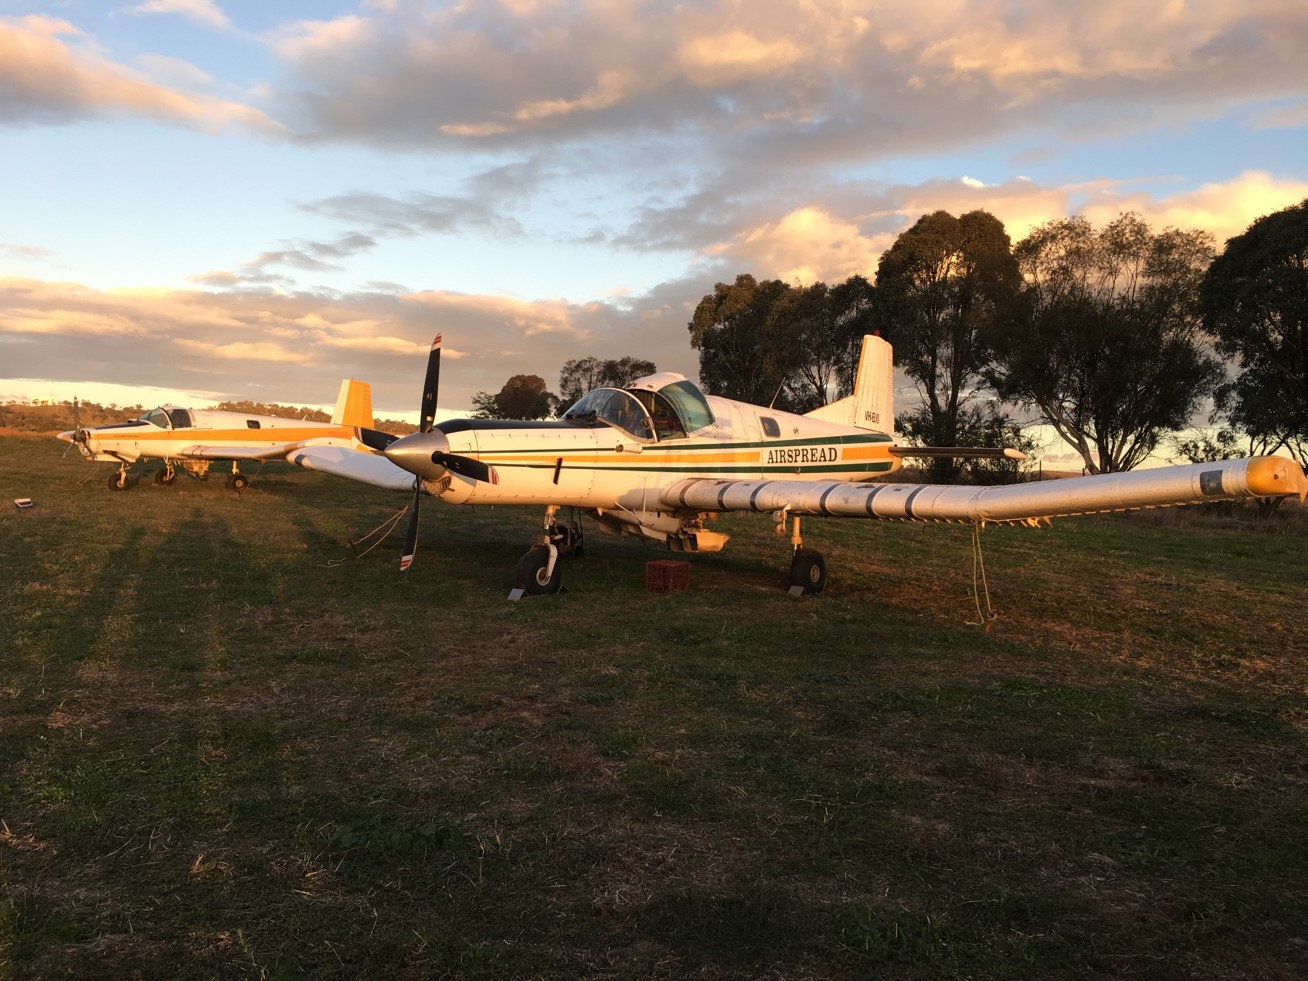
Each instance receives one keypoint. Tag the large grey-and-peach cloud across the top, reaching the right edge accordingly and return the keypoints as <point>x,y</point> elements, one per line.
<point>856,78</point>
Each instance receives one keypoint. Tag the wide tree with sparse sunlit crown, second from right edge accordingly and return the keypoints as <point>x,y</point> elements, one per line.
<point>1107,346</point>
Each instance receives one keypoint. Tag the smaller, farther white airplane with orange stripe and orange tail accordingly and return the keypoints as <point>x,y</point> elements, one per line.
<point>194,439</point>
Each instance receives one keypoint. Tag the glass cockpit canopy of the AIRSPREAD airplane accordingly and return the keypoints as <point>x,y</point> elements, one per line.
<point>663,406</point>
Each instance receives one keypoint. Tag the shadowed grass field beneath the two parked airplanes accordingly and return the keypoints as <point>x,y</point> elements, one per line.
<point>231,750</point>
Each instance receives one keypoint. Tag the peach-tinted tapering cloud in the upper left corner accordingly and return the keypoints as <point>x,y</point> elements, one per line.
<point>52,74</point>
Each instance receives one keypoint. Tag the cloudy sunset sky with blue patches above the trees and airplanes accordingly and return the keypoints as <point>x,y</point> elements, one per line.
<point>226,199</point>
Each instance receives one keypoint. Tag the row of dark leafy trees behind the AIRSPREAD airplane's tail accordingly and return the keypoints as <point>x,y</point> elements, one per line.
<point>1112,337</point>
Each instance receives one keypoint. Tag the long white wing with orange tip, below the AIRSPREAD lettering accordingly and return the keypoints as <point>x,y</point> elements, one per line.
<point>1009,504</point>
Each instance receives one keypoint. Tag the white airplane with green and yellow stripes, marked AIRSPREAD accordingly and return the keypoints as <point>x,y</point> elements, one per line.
<point>660,458</point>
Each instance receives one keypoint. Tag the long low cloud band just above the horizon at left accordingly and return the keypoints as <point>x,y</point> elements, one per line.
<point>296,347</point>
